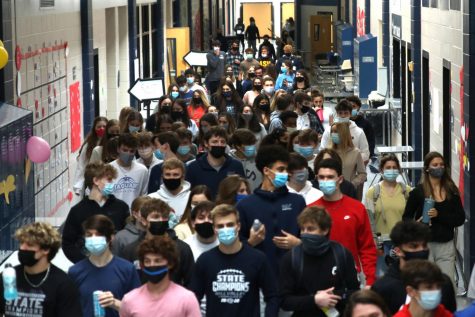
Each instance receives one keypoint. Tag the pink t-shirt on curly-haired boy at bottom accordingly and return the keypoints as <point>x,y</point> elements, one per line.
<point>176,301</point>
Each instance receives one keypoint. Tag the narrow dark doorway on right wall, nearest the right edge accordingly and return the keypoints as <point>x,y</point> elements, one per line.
<point>446,113</point>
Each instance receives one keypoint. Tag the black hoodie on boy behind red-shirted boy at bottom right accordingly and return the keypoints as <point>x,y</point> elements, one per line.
<point>392,290</point>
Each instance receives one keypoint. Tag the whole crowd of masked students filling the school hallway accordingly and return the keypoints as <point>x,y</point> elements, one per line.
<point>244,198</point>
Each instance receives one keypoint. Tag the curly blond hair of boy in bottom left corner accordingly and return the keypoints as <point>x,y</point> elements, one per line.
<point>42,234</point>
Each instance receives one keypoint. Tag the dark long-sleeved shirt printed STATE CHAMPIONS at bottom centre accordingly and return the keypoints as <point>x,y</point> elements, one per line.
<point>231,283</point>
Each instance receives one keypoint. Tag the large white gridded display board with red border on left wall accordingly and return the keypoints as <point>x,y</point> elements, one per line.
<point>42,87</point>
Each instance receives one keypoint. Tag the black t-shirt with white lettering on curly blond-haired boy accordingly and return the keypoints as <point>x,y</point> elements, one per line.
<point>56,297</point>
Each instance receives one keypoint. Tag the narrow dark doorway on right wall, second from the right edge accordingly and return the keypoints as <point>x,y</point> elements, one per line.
<point>425,103</point>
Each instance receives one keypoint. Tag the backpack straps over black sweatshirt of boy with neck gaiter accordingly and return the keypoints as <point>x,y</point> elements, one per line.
<point>339,255</point>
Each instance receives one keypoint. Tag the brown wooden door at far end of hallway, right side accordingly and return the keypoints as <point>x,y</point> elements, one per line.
<point>320,33</point>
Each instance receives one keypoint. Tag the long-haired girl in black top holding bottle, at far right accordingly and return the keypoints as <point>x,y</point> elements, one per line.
<point>446,213</point>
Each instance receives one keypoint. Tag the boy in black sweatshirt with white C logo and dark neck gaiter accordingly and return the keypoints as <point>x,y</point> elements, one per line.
<point>317,276</point>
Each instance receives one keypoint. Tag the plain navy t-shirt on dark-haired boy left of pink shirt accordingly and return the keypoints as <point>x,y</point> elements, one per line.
<point>118,277</point>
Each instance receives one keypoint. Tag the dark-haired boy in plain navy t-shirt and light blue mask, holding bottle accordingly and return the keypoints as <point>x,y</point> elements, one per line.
<point>101,270</point>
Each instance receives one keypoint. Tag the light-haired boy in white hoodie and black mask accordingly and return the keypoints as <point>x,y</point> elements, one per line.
<point>174,189</point>
